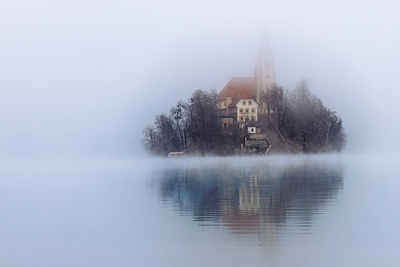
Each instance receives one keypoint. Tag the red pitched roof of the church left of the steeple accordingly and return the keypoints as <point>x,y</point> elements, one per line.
<point>239,87</point>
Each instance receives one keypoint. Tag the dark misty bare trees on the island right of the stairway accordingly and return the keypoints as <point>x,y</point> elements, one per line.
<point>302,118</point>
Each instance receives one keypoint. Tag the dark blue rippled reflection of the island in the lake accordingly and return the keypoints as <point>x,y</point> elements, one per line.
<point>252,199</point>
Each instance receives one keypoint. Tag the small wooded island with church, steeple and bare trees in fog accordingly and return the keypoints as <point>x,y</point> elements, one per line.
<point>250,115</point>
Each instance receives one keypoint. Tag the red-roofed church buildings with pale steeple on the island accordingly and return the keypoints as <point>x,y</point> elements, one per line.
<point>241,100</point>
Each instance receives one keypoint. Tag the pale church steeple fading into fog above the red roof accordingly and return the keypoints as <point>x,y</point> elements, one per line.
<point>264,76</point>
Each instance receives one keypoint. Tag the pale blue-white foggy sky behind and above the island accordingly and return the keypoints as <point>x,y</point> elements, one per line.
<point>84,77</point>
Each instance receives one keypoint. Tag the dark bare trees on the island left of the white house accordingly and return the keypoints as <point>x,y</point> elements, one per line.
<point>193,127</point>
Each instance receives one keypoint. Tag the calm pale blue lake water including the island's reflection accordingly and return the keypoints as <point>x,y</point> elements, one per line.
<point>332,210</point>
